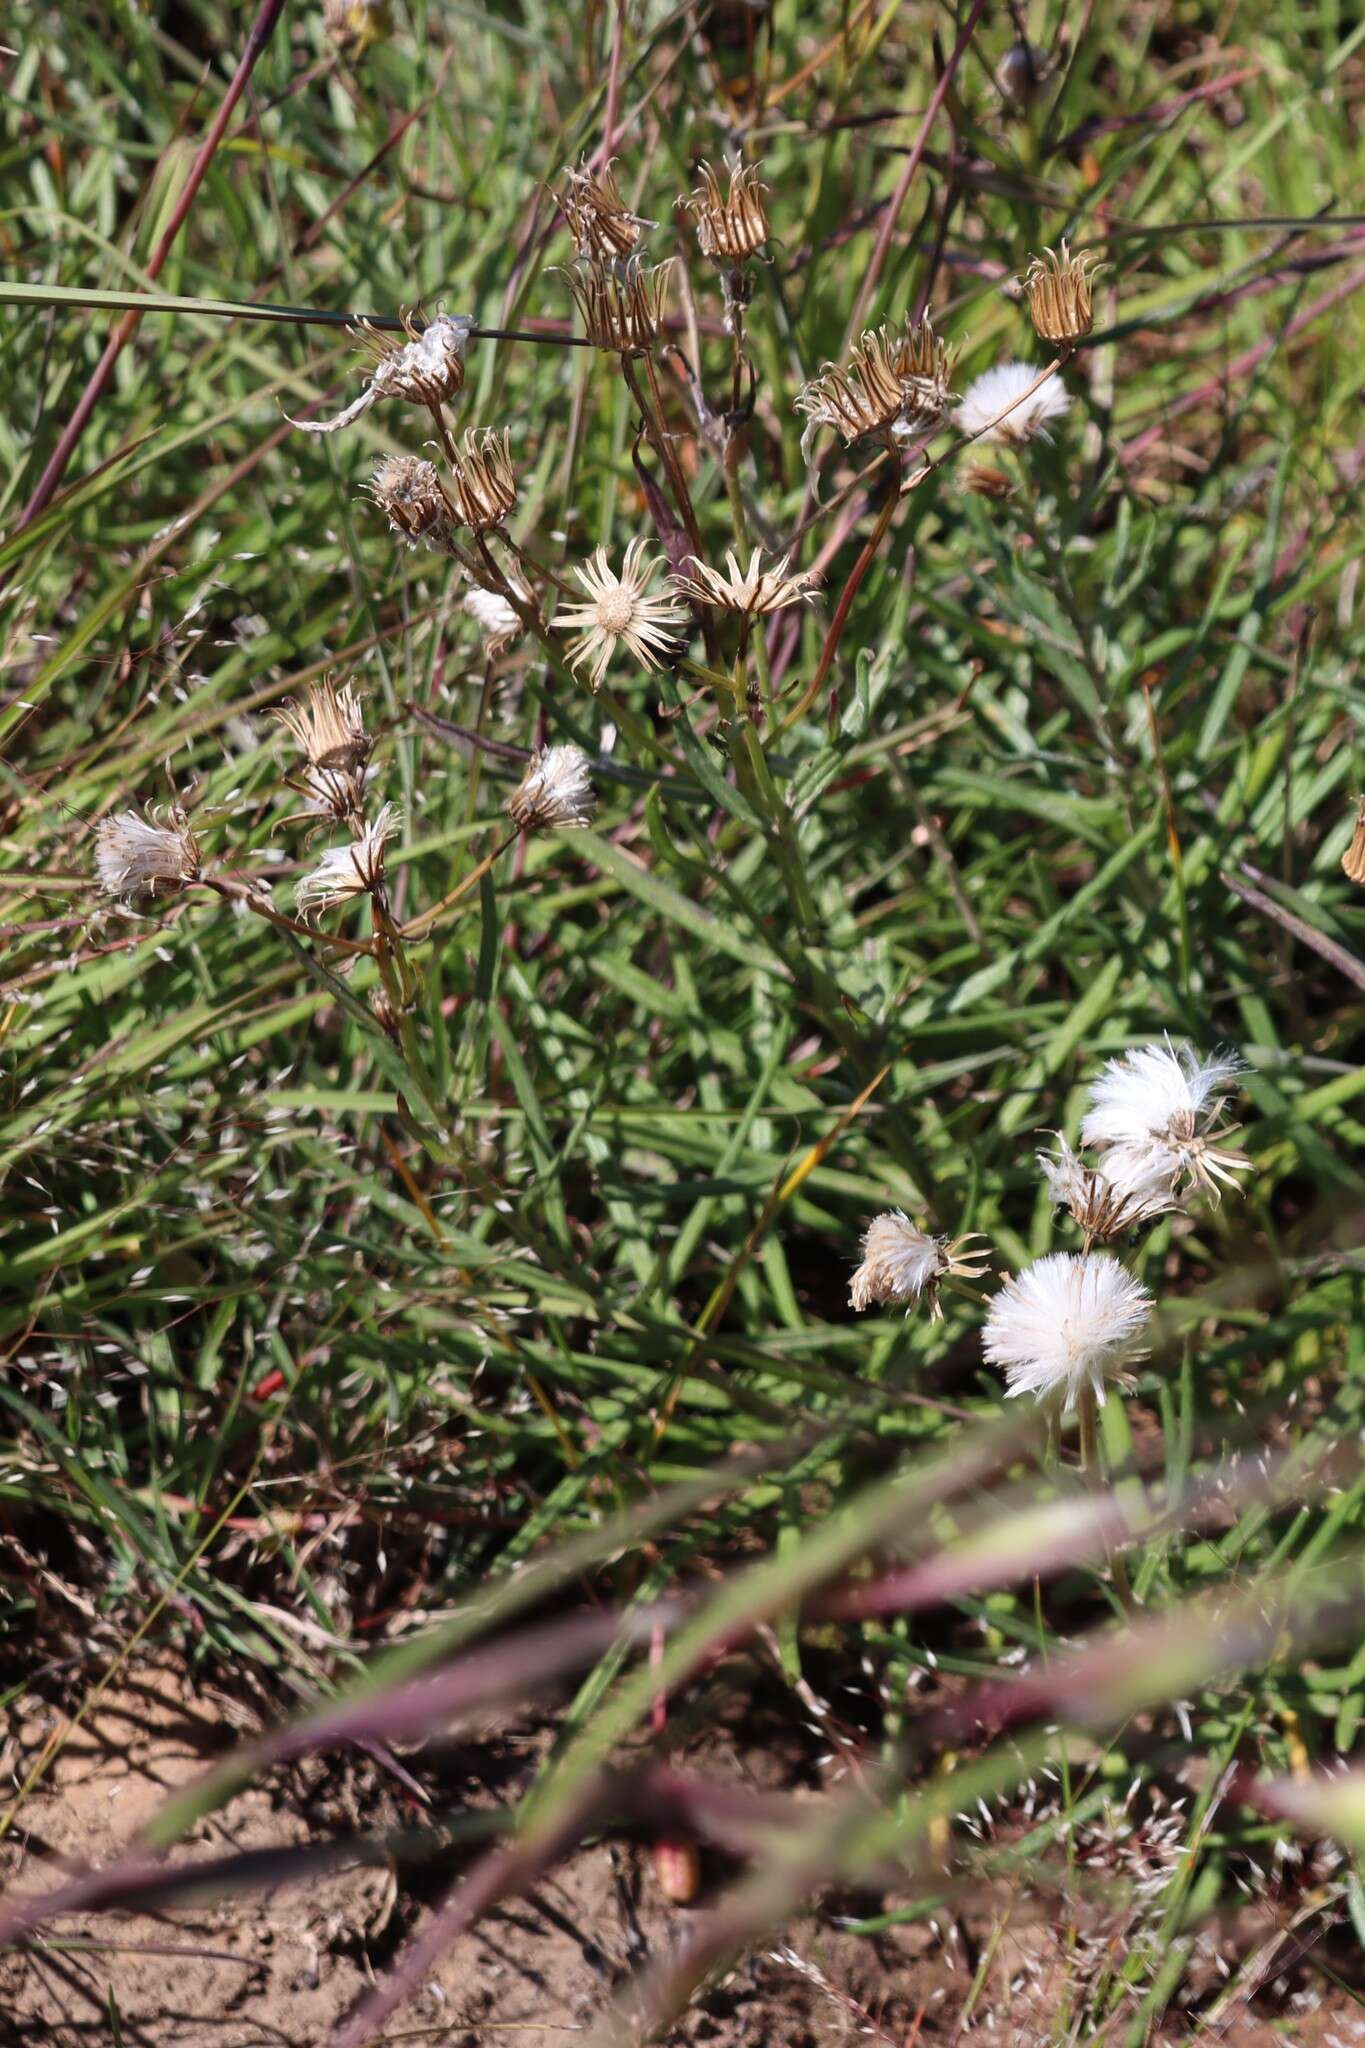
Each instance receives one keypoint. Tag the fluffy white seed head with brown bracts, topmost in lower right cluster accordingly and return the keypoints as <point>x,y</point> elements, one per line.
<point>1157,1113</point>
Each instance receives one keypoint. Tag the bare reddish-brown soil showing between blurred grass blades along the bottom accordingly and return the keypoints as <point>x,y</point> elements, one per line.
<point>283,1967</point>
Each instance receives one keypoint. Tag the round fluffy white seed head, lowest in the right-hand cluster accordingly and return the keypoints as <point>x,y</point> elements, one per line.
<point>1067,1322</point>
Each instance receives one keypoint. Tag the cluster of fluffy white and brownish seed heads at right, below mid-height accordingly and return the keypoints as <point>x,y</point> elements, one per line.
<point>1071,1324</point>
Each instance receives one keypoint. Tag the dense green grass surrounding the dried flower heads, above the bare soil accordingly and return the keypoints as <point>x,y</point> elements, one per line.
<point>500,1254</point>
